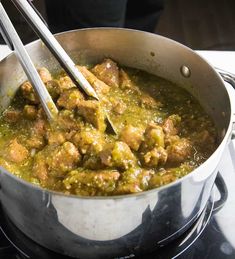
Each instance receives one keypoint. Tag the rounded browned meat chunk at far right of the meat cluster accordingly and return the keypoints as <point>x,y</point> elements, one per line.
<point>179,150</point>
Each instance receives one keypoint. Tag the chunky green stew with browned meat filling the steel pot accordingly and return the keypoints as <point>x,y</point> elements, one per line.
<point>163,133</point>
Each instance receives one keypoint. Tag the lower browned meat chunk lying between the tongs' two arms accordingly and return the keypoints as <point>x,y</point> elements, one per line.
<point>70,98</point>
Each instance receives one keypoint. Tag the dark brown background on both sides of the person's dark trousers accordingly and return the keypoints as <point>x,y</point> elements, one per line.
<point>198,24</point>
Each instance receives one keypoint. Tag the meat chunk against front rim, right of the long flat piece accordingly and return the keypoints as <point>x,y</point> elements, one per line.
<point>134,180</point>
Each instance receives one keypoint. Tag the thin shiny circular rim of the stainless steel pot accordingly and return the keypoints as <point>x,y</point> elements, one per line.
<point>143,193</point>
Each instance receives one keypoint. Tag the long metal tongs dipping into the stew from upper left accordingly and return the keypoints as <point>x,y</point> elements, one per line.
<point>13,41</point>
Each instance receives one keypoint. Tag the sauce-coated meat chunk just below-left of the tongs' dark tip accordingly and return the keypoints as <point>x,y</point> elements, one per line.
<point>90,141</point>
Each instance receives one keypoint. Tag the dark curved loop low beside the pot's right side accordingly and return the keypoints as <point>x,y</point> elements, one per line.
<point>222,188</point>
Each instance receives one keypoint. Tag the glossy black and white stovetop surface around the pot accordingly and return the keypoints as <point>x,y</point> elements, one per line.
<point>211,236</point>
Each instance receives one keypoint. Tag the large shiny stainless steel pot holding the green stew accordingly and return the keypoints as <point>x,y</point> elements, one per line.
<point>98,227</point>
